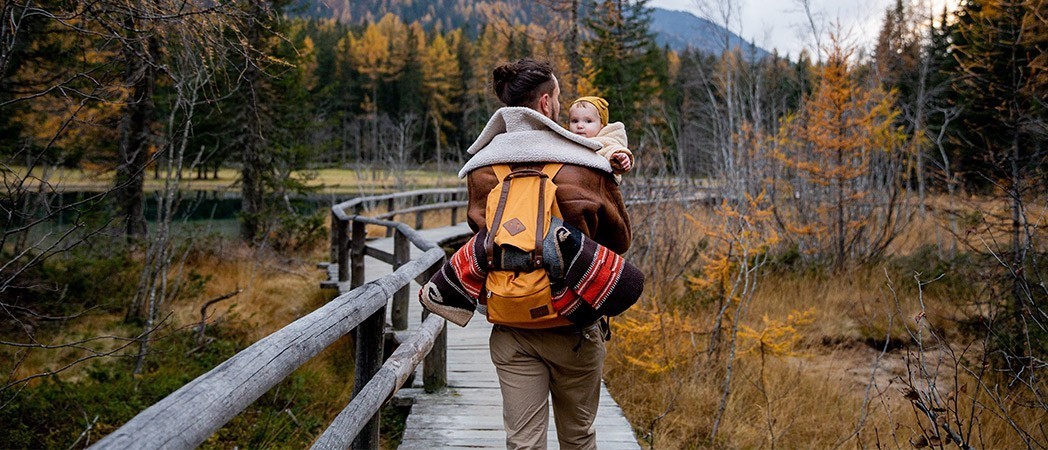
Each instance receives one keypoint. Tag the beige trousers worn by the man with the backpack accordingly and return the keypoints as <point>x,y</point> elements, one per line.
<point>536,365</point>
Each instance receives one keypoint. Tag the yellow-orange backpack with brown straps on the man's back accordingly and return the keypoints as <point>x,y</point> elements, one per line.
<point>518,216</point>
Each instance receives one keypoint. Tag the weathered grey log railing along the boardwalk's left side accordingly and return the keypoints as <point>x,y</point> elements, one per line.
<point>188,417</point>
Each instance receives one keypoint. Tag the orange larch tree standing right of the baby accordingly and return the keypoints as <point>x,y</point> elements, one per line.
<point>841,196</point>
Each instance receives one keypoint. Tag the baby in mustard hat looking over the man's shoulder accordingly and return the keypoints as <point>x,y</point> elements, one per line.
<point>588,117</point>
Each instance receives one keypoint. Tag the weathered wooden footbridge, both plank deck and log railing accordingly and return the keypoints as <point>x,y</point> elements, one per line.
<point>455,397</point>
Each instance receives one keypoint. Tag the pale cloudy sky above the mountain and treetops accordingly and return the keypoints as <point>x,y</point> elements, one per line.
<point>782,25</point>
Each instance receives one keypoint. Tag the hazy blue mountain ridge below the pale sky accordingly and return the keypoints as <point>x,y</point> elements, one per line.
<point>681,30</point>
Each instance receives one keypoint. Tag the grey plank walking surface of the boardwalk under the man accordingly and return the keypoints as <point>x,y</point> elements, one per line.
<point>469,414</point>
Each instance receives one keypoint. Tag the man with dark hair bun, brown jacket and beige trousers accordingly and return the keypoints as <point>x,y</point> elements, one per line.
<point>563,362</point>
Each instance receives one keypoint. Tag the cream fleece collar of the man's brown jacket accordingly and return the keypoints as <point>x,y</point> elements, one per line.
<point>519,135</point>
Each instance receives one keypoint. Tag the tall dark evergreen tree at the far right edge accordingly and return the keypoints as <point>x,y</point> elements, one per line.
<point>999,48</point>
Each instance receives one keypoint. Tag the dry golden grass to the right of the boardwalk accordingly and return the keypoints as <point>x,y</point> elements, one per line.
<point>824,393</point>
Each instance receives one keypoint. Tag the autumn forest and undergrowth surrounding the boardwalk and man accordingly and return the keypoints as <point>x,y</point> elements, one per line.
<point>874,274</point>
